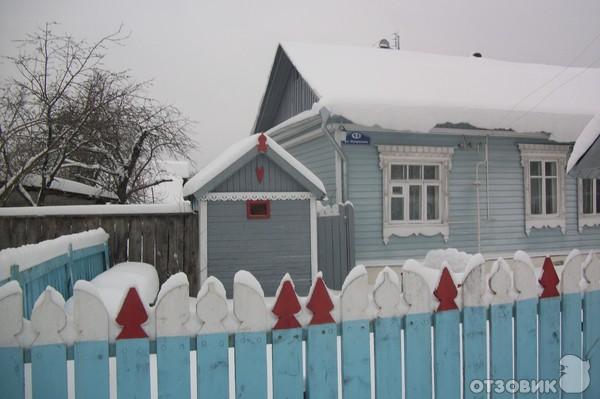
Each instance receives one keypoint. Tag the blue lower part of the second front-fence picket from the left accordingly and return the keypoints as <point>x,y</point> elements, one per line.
<point>49,371</point>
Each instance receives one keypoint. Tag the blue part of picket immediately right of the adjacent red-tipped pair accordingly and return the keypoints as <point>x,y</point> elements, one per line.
<point>356,367</point>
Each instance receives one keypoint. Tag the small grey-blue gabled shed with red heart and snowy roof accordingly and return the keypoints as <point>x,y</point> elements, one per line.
<point>257,212</point>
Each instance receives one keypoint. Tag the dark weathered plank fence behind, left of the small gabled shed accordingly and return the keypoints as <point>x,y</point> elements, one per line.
<point>169,241</point>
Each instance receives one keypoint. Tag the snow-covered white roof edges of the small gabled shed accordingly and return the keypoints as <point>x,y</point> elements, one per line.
<point>238,150</point>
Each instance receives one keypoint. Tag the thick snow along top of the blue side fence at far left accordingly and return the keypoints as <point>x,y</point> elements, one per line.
<point>30,255</point>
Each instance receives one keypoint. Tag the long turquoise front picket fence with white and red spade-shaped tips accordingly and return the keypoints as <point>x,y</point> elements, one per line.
<point>410,336</point>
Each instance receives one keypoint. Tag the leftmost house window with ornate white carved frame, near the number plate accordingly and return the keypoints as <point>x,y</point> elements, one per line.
<point>415,190</point>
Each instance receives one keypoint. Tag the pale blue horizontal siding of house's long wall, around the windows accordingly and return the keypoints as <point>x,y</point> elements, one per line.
<point>502,233</point>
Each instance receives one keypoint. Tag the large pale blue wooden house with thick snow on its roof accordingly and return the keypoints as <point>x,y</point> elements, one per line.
<point>439,151</point>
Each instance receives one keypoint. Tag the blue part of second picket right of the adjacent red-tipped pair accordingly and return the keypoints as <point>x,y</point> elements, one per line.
<point>388,357</point>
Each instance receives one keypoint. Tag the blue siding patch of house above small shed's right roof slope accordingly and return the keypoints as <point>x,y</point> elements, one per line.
<point>318,155</point>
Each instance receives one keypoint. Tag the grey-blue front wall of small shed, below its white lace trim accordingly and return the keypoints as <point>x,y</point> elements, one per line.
<point>268,248</point>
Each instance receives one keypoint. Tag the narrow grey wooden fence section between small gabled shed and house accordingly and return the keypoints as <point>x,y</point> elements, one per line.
<point>335,232</point>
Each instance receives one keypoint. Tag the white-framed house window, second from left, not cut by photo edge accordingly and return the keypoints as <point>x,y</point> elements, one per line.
<point>544,182</point>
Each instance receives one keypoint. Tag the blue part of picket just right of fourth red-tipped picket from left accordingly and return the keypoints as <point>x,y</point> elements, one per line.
<point>474,350</point>
